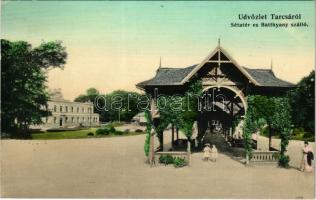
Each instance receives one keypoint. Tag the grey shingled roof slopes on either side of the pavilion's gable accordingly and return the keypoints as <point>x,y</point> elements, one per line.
<point>174,76</point>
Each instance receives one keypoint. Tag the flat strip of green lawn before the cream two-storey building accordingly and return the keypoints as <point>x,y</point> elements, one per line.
<point>76,134</point>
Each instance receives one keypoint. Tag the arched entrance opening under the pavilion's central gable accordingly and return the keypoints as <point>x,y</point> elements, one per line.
<point>221,109</point>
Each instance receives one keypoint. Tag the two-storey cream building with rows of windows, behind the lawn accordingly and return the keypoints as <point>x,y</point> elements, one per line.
<point>66,114</point>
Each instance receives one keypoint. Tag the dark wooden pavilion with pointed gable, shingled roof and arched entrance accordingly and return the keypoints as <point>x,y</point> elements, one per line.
<point>228,82</point>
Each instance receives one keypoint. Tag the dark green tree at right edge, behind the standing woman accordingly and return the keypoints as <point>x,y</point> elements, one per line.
<point>302,102</point>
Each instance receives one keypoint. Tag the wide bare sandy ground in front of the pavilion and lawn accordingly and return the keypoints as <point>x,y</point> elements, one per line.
<point>114,168</point>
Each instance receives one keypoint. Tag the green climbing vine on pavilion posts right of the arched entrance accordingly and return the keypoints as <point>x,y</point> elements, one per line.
<point>271,111</point>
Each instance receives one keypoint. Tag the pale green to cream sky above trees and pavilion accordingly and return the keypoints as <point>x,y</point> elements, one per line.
<point>115,45</point>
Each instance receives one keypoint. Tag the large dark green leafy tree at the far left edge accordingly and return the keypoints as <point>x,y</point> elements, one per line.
<point>23,91</point>
